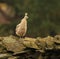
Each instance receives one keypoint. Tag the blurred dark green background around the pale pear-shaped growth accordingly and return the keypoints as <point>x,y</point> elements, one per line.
<point>44,17</point>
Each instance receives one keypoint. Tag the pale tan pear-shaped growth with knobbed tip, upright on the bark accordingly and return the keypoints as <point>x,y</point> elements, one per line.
<point>21,28</point>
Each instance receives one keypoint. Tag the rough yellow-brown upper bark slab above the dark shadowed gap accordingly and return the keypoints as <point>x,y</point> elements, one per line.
<point>16,45</point>
